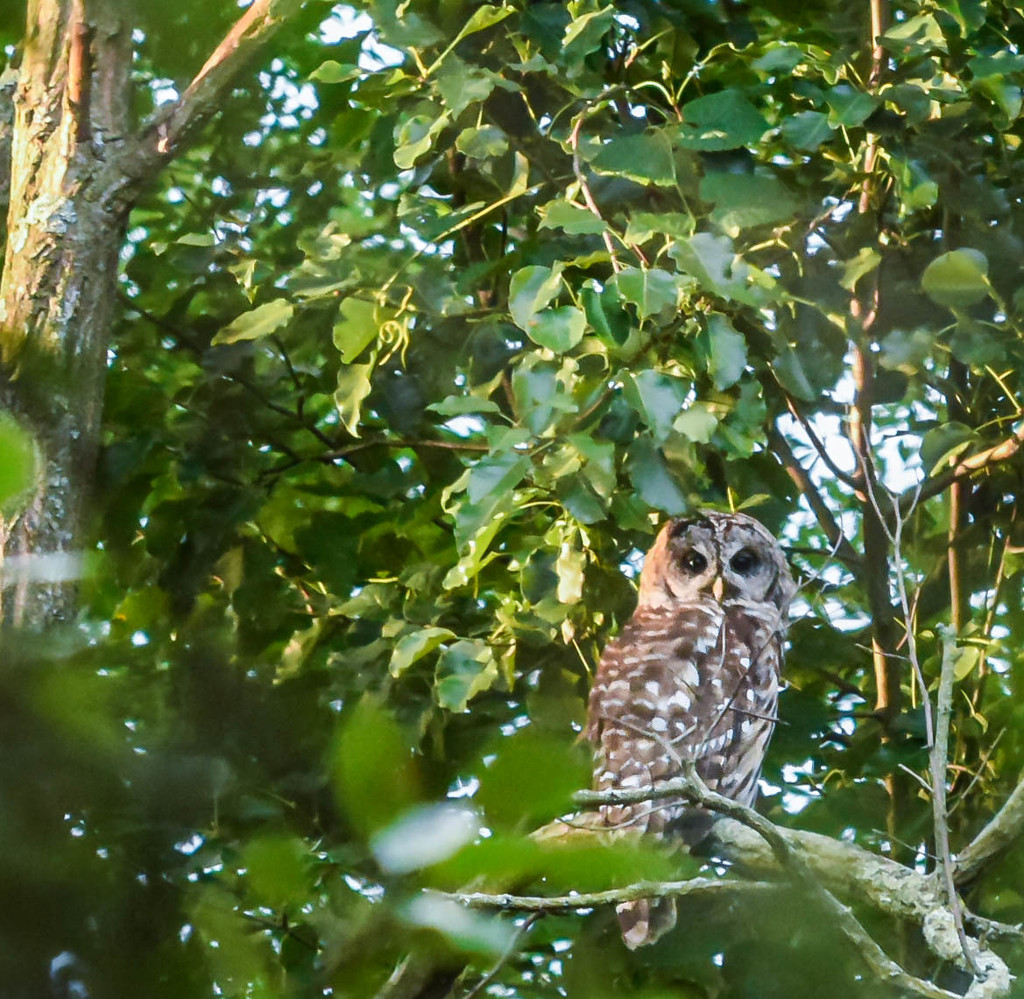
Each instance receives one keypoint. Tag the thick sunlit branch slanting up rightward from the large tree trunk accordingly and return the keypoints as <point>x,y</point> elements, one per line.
<point>163,139</point>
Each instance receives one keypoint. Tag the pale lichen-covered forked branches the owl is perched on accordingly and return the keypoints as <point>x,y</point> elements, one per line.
<point>812,861</point>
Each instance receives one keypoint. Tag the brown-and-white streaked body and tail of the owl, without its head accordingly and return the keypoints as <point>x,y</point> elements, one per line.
<point>698,683</point>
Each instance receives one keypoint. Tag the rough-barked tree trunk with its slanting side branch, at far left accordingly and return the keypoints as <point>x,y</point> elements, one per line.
<point>72,163</point>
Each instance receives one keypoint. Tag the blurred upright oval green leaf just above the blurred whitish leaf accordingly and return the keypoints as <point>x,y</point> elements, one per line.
<point>372,768</point>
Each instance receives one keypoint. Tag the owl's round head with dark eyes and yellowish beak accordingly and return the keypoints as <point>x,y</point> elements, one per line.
<point>720,557</point>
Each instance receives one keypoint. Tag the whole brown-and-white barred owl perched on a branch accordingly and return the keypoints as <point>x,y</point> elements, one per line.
<point>694,677</point>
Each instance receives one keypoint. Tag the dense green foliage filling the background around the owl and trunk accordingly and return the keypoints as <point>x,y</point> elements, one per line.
<point>419,343</point>
